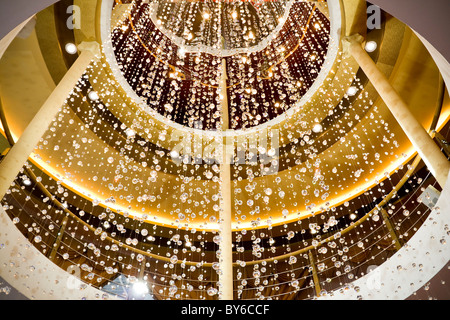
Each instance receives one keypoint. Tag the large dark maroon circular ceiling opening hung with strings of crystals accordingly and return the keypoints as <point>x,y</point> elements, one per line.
<point>181,80</point>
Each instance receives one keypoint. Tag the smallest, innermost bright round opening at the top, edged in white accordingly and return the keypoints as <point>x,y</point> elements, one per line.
<point>221,28</point>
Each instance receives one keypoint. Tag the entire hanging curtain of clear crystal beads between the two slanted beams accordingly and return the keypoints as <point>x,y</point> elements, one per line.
<point>244,191</point>
